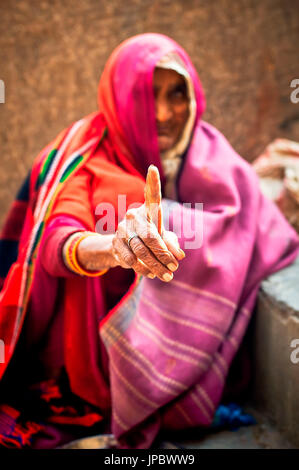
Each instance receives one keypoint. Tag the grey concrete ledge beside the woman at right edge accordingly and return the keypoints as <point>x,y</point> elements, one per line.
<point>276,377</point>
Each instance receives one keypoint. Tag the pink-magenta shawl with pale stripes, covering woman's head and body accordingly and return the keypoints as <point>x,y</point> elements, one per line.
<point>170,345</point>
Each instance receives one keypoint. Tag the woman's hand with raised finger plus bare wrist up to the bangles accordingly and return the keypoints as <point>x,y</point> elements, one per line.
<point>140,242</point>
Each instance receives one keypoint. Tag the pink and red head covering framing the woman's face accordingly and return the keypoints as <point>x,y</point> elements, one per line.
<point>126,94</point>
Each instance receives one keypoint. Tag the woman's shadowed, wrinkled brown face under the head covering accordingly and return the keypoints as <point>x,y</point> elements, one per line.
<point>172,106</point>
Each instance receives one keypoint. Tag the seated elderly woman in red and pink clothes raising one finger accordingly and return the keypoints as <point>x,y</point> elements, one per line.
<point>120,311</point>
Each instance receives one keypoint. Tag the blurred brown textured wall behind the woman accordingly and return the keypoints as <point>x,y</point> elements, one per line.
<point>52,54</point>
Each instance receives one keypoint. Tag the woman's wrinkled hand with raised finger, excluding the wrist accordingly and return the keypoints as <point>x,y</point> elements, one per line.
<point>141,243</point>
